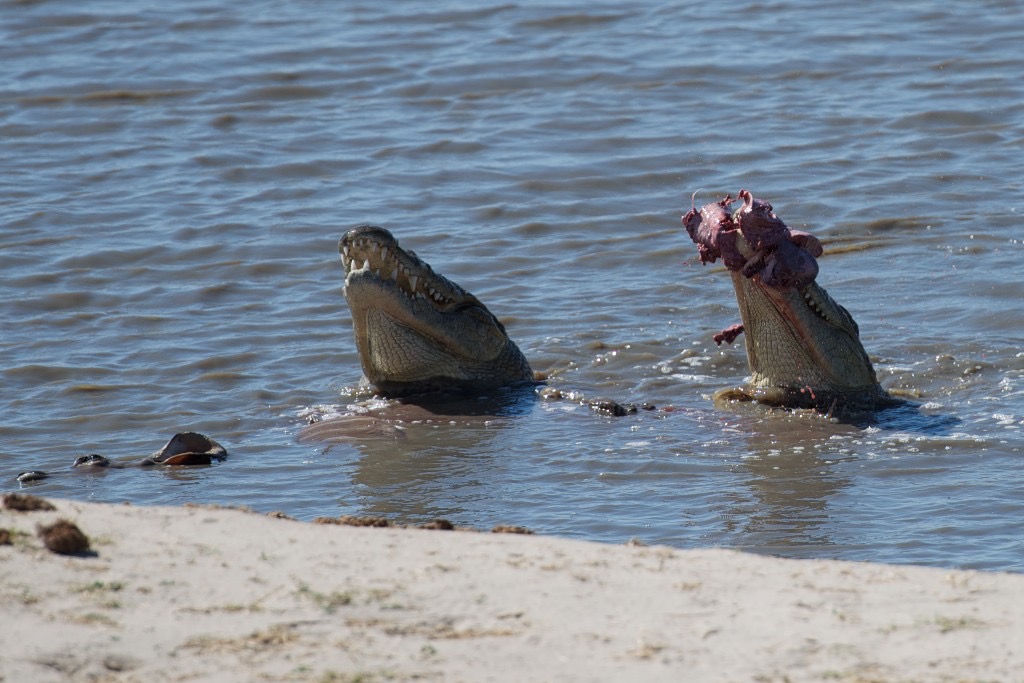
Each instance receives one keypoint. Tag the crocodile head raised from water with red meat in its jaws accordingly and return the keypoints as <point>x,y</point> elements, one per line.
<point>803,350</point>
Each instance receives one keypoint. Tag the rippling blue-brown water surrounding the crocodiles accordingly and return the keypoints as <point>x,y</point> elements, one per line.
<point>176,181</point>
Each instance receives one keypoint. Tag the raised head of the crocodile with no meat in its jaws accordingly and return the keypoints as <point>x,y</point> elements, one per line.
<point>417,331</point>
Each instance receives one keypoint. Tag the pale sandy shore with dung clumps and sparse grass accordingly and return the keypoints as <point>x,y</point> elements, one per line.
<point>198,594</point>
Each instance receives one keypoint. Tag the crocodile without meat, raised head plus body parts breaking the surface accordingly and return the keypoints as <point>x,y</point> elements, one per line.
<point>428,344</point>
